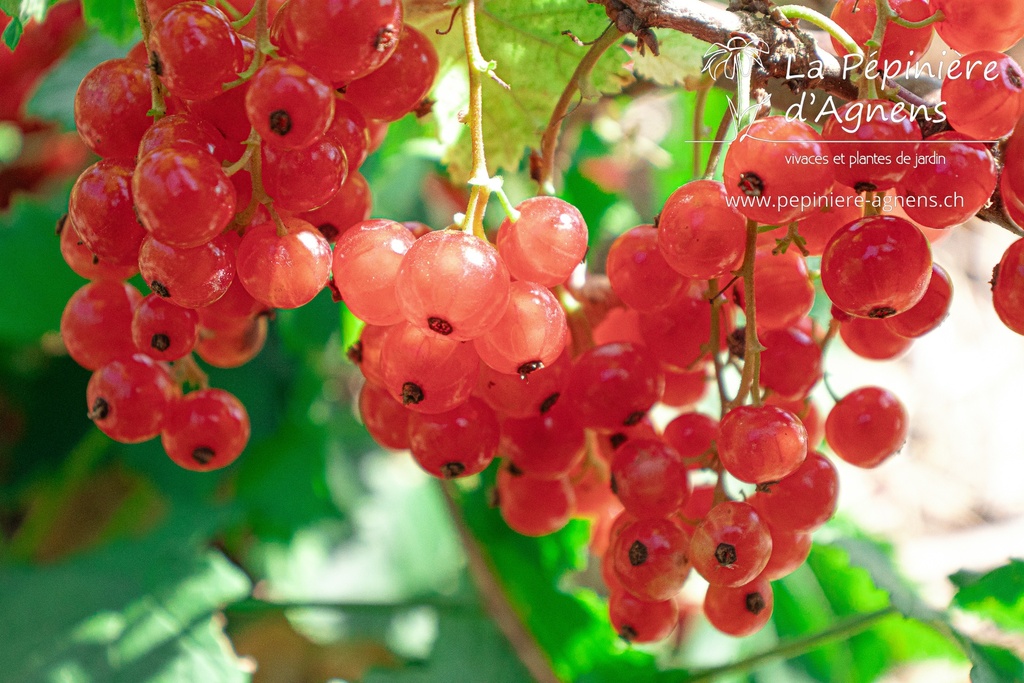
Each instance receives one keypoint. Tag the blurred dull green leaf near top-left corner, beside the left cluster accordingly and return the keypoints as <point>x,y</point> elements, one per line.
<point>55,99</point>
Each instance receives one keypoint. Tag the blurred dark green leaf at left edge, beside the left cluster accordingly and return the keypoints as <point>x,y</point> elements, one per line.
<point>34,267</point>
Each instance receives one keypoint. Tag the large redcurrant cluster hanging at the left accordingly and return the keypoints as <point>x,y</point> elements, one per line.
<point>227,206</point>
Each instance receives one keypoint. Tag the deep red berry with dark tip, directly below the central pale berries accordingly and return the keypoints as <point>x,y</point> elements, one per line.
<point>455,444</point>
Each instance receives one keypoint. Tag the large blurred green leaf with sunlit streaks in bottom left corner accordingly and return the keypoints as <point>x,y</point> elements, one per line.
<point>141,612</point>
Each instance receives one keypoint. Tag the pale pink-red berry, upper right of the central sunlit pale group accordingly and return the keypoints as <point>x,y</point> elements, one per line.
<point>546,244</point>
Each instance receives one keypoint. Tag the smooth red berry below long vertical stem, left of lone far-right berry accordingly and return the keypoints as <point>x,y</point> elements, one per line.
<point>759,444</point>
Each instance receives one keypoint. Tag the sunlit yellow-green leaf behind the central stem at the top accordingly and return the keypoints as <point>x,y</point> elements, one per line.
<point>525,38</point>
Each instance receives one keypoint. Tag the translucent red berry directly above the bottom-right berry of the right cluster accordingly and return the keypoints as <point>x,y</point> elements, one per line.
<point>732,546</point>
